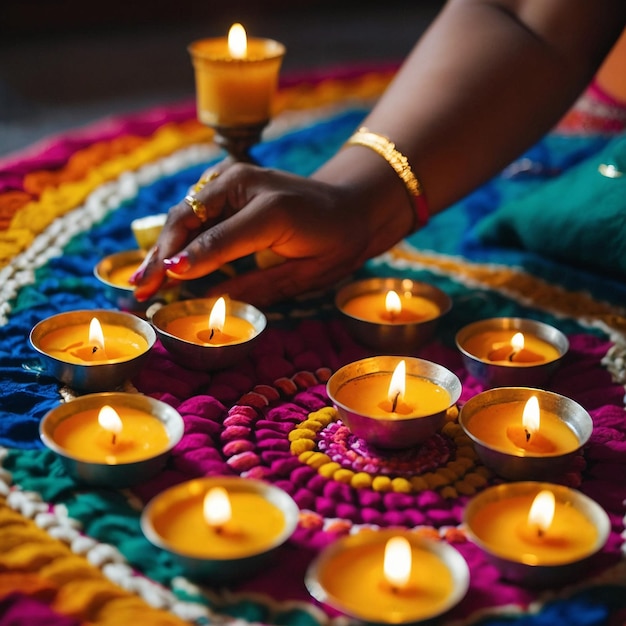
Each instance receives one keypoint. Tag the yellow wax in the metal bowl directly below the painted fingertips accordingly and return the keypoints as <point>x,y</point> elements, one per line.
<point>196,329</point>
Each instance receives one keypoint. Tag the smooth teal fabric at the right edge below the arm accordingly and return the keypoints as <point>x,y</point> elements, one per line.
<point>578,217</point>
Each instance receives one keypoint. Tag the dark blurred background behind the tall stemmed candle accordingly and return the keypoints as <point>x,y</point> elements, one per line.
<point>66,63</point>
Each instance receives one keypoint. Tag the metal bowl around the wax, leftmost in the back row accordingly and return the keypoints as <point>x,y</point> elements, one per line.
<point>92,376</point>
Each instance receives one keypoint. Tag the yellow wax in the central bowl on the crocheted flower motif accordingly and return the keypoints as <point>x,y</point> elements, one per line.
<point>368,395</point>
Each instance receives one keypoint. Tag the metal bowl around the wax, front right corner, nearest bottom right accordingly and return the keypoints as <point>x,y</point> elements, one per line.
<point>539,576</point>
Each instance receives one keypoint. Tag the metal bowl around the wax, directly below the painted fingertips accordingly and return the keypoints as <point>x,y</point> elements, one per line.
<point>197,356</point>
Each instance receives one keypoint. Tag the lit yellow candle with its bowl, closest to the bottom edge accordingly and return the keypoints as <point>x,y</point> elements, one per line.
<point>388,577</point>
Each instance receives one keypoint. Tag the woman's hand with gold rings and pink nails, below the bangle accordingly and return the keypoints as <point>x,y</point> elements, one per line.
<point>314,226</point>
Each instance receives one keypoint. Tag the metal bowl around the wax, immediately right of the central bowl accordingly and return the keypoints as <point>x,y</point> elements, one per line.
<point>527,465</point>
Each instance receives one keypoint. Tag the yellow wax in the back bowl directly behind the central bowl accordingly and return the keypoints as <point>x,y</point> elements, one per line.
<point>371,307</point>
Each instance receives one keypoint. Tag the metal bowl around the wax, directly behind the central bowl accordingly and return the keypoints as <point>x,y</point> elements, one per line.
<point>399,338</point>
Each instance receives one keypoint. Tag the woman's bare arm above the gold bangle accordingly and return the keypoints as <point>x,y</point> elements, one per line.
<point>486,81</point>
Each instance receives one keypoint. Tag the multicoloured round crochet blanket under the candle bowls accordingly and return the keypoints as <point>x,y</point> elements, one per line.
<point>71,554</point>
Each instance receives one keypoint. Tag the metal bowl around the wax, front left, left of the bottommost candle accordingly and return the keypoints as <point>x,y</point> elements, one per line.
<point>215,569</point>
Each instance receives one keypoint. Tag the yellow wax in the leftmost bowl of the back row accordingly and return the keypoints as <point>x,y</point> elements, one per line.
<point>71,344</point>
